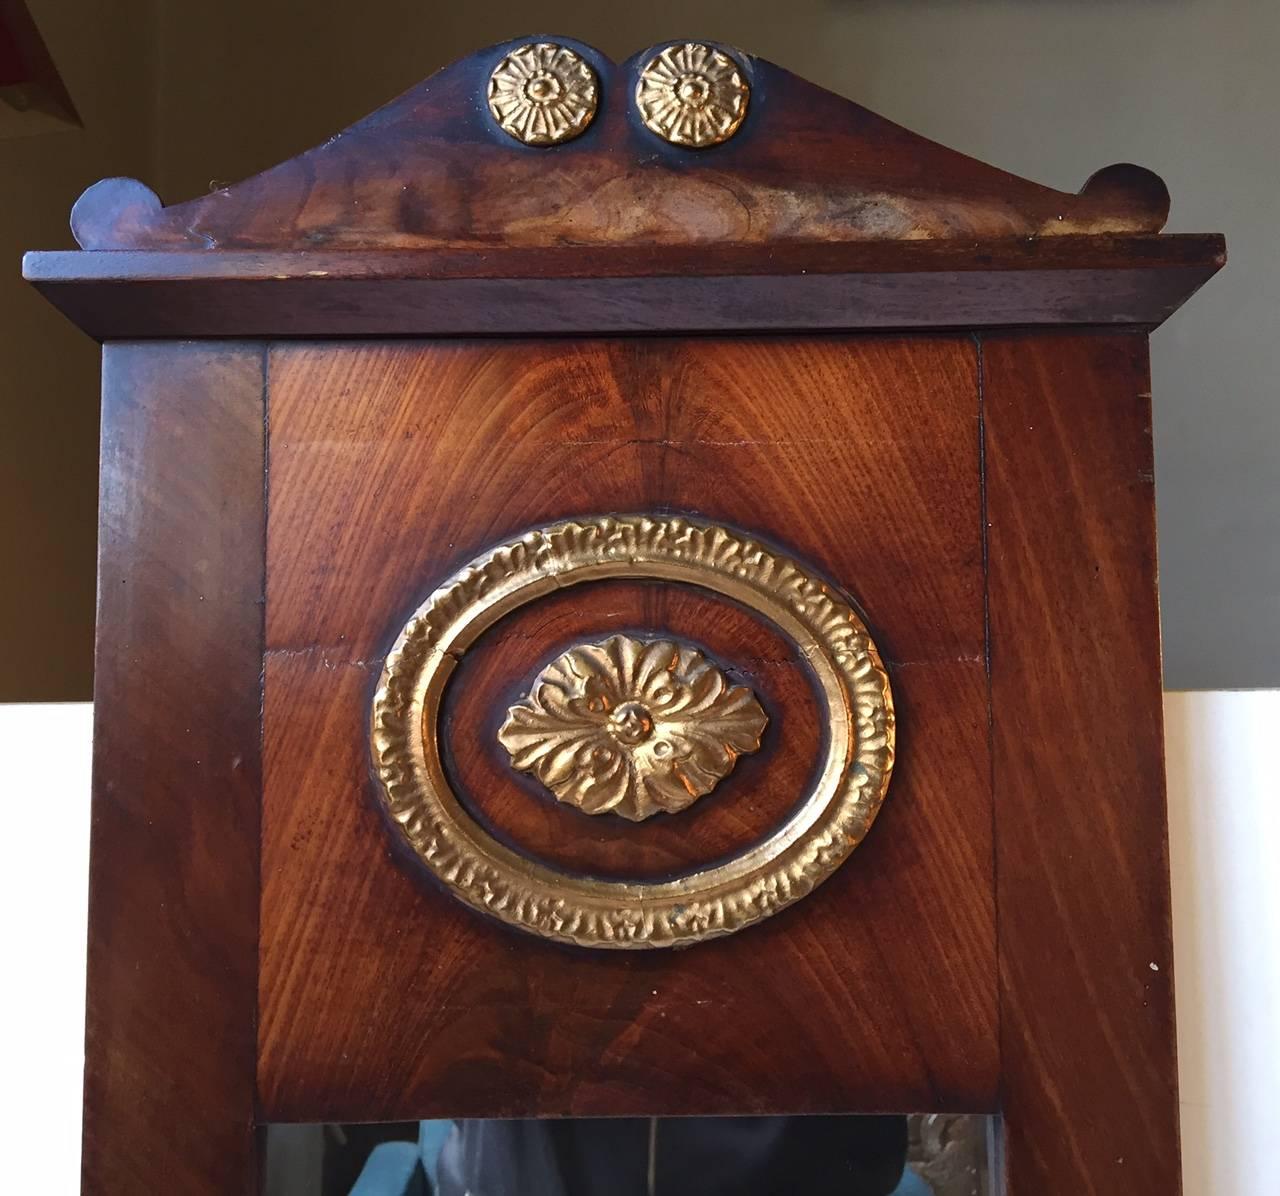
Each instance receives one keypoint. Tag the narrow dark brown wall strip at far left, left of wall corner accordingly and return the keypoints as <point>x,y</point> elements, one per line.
<point>49,375</point>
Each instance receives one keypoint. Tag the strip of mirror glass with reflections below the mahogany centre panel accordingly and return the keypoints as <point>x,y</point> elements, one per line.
<point>922,1156</point>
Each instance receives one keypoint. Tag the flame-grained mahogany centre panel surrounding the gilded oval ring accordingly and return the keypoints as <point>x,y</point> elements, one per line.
<point>394,464</point>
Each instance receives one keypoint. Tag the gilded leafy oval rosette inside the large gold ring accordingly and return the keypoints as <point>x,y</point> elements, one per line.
<point>633,728</point>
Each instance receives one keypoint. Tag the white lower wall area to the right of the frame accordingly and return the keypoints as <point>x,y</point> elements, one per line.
<point>1224,824</point>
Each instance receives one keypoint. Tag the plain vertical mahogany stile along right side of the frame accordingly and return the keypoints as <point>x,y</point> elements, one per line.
<point>1082,866</point>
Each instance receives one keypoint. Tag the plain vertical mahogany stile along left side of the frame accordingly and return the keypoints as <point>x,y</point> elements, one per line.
<point>175,868</point>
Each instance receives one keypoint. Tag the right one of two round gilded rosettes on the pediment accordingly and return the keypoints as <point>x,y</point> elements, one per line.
<point>693,95</point>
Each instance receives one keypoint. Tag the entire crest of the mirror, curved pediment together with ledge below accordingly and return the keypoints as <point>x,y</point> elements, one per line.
<point>436,217</point>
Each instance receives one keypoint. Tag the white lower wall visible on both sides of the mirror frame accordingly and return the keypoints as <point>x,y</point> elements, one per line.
<point>1224,838</point>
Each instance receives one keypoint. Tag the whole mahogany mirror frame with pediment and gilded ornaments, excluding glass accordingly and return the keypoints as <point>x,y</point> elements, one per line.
<point>628,591</point>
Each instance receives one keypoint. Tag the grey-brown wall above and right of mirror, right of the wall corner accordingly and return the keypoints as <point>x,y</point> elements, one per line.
<point>1048,89</point>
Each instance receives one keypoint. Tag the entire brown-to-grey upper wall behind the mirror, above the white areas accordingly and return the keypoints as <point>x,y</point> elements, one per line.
<point>188,95</point>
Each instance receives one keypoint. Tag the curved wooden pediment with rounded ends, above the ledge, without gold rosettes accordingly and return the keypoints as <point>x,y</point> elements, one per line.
<point>432,171</point>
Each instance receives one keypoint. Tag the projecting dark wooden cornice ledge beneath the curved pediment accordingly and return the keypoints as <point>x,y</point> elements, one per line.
<point>1100,280</point>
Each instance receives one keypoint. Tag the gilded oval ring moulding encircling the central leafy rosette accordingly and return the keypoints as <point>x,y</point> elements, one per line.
<point>824,828</point>
